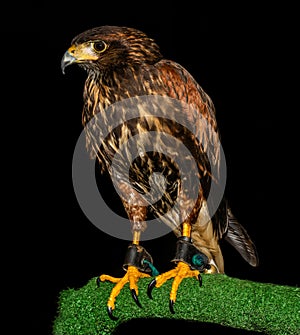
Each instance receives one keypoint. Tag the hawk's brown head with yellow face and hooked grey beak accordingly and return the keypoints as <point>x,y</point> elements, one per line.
<point>111,47</point>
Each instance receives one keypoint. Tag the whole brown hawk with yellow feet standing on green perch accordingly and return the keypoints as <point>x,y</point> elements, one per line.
<point>126,68</point>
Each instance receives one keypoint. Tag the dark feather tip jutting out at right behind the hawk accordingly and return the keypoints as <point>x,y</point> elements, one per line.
<point>238,237</point>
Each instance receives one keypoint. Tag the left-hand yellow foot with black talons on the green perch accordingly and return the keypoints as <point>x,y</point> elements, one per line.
<point>132,276</point>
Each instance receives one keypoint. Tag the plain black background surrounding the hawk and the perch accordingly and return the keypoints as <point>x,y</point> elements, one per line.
<point>243,57</point>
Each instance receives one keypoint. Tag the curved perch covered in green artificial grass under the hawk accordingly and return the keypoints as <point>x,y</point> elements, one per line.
<point>261,307</point>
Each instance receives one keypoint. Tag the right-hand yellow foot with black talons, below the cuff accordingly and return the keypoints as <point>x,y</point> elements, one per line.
<point>181,271</point>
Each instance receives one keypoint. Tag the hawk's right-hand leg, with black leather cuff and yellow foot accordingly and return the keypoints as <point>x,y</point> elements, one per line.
<point>190,263</point>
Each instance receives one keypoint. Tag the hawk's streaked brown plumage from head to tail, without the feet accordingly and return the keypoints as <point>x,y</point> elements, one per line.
<point>125,65</point>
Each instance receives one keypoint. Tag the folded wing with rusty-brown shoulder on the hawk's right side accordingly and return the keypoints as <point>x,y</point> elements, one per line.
<point>202,116</point>
